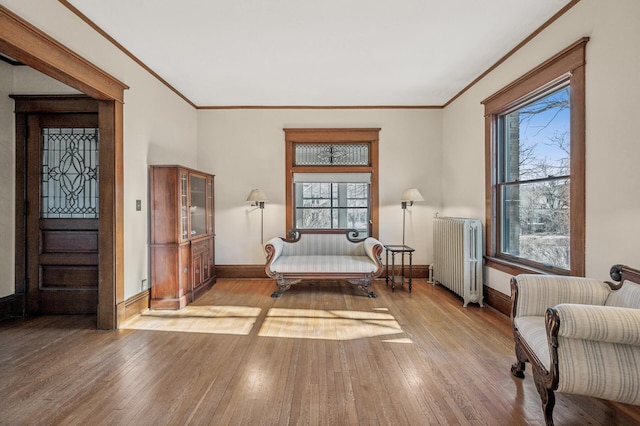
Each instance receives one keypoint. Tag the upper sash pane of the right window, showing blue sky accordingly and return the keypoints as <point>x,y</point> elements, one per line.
<point>536,138</point>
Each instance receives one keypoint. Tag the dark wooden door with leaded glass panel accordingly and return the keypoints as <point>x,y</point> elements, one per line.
<point>62,213</point>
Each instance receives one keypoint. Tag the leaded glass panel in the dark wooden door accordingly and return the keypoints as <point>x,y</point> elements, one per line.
<point>69,173</point>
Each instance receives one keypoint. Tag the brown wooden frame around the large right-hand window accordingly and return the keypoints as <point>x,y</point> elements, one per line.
<point>568,64</point>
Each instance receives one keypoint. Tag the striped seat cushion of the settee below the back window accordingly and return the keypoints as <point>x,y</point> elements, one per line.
<point>323,264</point>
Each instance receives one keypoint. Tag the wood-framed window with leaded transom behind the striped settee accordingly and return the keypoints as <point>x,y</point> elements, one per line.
<point>332,179</point>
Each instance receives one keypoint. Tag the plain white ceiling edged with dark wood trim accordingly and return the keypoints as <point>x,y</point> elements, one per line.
<point>321,52</point>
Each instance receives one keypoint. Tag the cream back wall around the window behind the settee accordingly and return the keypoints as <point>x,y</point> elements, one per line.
<point>245,149</point>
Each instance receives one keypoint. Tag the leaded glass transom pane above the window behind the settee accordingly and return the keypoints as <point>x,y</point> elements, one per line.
<point>309,154</point>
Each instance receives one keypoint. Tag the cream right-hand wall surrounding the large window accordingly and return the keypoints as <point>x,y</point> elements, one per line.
<point>612,148</point>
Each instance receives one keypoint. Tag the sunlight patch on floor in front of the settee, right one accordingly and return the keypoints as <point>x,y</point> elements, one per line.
<point>327,324</point>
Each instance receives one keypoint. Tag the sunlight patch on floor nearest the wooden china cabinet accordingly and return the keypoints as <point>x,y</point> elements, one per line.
<point>237,320</point>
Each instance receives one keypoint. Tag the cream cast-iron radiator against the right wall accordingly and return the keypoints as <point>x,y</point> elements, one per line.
<point>457,257</point>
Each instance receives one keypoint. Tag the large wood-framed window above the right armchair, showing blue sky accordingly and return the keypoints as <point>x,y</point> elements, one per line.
<point>535,169</point>
